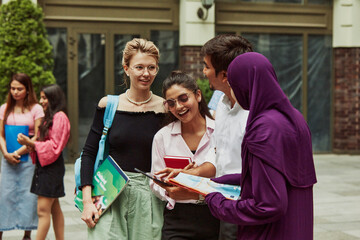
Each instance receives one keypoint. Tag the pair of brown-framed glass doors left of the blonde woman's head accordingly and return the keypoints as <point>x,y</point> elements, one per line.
<point>95,71</point>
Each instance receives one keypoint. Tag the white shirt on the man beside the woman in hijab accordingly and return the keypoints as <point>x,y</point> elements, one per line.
<point>230,123</point>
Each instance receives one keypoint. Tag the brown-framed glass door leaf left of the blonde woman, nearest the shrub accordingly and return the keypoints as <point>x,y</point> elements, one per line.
<point>87,66</point>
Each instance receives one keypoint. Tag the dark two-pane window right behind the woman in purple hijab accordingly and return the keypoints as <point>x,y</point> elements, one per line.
<point>285,52</point>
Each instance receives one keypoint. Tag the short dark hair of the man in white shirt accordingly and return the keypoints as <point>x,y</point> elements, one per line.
<point>224,48</point>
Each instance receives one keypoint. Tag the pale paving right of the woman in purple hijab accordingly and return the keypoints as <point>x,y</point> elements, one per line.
<point>337,197</point>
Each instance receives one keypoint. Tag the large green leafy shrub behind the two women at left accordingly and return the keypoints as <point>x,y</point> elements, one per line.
<point>23,45</point>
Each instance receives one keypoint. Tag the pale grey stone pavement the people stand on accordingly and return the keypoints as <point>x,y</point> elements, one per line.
<point>336,201</point>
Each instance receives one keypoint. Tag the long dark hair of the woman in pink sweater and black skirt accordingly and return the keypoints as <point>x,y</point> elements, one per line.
<point>56,103</point>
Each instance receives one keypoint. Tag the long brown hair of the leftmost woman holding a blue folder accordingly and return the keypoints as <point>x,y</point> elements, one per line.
<point>29,101</point>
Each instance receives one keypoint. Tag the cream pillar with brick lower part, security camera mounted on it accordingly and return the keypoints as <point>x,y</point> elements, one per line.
<point>194,32</point>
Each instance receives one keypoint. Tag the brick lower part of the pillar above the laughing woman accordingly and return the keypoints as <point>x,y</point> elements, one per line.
<point>191,61</point>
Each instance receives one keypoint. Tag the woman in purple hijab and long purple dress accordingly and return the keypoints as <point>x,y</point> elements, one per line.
<point>276,200</point>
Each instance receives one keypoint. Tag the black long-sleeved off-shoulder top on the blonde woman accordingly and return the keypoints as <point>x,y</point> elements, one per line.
<point>130,141</point>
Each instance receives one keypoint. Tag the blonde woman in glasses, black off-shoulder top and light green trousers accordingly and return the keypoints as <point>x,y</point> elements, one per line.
<point>136,213</point>
